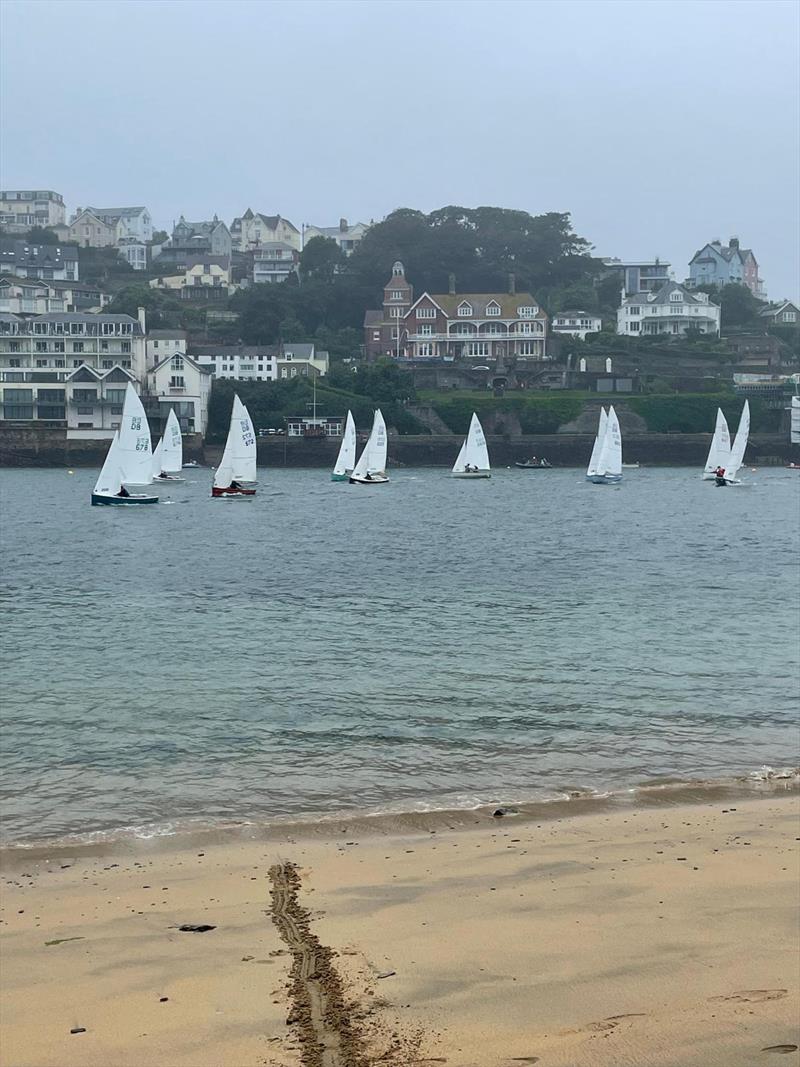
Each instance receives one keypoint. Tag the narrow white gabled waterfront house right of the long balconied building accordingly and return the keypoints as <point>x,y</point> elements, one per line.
<point>181,383</point>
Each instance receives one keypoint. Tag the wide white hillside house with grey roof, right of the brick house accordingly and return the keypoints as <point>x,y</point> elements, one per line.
<point>673,310</point>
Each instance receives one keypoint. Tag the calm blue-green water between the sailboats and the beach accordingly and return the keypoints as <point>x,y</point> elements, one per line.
<point>425,644</point>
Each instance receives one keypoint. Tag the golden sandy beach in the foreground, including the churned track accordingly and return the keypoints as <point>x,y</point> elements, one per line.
<point>644,935</point>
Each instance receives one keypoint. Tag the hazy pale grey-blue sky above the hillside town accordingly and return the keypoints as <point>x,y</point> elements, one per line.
<point>659,124</point>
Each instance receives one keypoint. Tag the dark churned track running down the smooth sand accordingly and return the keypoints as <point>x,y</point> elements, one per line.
<point>324,1020</point>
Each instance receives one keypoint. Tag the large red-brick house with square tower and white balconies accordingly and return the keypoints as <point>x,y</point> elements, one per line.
<point>453,326</point>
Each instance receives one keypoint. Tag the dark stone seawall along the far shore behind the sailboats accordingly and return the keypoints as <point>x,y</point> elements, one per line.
<point>50,449</point>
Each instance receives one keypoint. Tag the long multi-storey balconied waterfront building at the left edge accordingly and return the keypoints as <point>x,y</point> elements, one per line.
<point>70,370</point>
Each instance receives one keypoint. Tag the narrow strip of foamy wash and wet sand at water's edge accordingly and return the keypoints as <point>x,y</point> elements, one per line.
<point>766,784</point>
